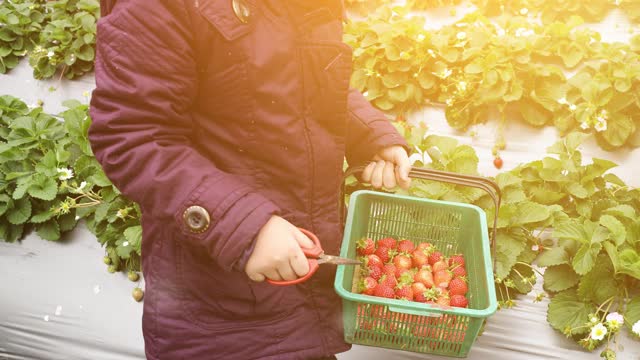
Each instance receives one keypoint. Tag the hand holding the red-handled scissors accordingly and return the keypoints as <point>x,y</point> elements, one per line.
<point>277,254</point>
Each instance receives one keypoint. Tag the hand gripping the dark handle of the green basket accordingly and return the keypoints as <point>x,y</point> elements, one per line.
<point>390,167</point>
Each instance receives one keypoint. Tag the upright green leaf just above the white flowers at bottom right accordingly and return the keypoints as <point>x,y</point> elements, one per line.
<point>599,284</point>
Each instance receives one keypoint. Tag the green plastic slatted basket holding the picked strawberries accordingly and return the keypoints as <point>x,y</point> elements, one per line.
<point>452,228</point>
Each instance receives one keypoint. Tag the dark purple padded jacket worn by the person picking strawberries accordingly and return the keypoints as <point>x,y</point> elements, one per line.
<point>213,120</point>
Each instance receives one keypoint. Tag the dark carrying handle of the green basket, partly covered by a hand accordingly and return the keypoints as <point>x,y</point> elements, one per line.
<point>489,186</point>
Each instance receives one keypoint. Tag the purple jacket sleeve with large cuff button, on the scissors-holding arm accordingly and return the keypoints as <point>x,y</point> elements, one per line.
<point>146,83</point>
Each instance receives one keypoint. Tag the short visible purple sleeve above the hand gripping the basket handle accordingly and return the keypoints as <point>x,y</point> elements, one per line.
<point>368,131</point>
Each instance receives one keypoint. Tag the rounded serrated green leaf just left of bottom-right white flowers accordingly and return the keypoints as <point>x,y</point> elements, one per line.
<point>566,311</point>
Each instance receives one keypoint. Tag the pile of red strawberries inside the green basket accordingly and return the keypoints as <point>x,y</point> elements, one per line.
<point>402,270</point>
